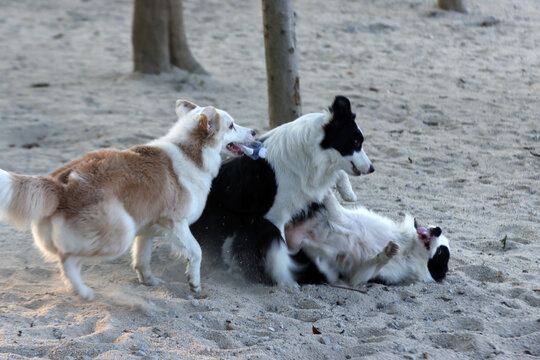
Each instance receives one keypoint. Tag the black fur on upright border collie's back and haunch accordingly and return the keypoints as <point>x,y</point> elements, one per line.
<point>241,194</point>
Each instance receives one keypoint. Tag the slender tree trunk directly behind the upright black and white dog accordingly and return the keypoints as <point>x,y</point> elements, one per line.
<point>284,102</point>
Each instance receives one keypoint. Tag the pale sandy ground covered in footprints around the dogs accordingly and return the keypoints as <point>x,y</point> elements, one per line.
<point>450,111</point>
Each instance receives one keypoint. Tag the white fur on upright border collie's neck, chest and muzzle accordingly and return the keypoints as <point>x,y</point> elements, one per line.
<point>304,174</point>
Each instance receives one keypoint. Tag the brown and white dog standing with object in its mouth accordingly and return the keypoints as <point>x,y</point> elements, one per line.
<point>98,204</point>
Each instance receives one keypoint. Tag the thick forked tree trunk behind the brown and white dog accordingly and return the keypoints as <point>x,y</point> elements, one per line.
<point>159,38</point>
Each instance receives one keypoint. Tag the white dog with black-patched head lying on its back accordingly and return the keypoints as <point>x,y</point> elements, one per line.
<point>357,246</point>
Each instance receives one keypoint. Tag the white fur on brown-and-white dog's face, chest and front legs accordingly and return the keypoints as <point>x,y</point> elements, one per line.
<point>197,182</point>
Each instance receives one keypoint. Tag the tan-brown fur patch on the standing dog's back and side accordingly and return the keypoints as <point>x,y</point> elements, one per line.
<point>142,178</point>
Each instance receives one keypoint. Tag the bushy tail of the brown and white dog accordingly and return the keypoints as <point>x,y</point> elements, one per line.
<point>24,198</point>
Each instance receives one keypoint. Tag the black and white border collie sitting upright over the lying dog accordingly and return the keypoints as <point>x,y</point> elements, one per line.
<point>251,201</point>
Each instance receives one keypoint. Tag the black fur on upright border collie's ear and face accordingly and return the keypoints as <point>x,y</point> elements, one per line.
<point>342,133</point>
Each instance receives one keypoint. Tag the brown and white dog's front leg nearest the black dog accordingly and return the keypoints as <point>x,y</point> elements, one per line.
<point>188,246</point>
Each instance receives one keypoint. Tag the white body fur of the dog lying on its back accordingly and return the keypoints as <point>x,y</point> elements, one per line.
<point>354,242</point>
